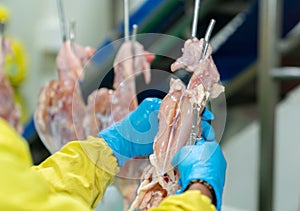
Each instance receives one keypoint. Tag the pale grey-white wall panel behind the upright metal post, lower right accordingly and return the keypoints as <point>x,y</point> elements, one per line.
<point>242,151</point>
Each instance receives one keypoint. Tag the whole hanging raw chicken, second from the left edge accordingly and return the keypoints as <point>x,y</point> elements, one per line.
<point>61,108</point>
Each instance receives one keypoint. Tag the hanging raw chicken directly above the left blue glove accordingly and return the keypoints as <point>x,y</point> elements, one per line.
<point>108,106</point>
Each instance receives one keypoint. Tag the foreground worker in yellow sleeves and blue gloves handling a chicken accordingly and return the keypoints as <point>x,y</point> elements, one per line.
<point>76,177</point>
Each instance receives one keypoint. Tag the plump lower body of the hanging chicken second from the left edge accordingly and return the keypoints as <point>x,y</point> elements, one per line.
<point>59,114</point>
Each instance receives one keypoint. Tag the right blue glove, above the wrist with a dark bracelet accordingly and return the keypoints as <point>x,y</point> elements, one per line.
<point>203,161</point>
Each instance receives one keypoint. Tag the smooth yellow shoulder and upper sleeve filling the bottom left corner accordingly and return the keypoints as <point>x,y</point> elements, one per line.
<point>22,188</point>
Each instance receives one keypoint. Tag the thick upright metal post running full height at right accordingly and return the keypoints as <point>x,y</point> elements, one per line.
<point>269,22</point>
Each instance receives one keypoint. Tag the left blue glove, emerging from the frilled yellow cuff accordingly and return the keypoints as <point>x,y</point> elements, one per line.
<point>134,135</point>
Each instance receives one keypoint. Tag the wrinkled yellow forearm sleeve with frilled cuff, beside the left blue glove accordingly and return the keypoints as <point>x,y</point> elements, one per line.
<point>81,169</point>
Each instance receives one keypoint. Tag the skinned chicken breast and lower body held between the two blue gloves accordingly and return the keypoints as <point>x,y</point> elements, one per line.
<point>176,112</point>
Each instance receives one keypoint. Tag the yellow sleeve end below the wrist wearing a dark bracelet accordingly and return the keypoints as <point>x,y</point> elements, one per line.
<point>192,200</point>
